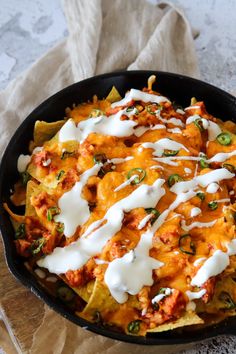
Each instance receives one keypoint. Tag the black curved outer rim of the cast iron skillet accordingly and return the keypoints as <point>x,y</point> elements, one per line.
<point>225,327</point>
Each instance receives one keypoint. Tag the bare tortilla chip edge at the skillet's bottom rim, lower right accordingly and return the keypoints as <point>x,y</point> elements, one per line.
<point>189,318</point>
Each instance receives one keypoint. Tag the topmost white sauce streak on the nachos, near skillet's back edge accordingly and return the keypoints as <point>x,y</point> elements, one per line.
<point>138,95</point>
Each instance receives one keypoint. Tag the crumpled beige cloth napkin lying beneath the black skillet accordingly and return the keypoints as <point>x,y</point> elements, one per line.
<point>103,36</point>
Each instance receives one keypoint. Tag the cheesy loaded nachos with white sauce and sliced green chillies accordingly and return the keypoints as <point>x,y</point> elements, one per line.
<point>130,212</point>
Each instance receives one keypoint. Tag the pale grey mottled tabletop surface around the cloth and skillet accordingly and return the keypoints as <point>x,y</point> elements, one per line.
<point>29,30</point>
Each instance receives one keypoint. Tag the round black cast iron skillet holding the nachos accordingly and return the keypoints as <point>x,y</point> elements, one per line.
<point>178,88</point>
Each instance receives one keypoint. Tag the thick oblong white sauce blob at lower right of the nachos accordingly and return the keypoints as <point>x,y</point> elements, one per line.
<point>213,266</point>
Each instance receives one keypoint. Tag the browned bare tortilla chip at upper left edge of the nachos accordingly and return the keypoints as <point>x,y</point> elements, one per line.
<point>44,131</point>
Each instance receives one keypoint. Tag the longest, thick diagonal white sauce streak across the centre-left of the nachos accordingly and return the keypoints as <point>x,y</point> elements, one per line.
<point>94,239</point>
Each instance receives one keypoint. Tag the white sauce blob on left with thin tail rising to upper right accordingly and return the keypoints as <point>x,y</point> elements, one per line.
<point>74,208</point>
